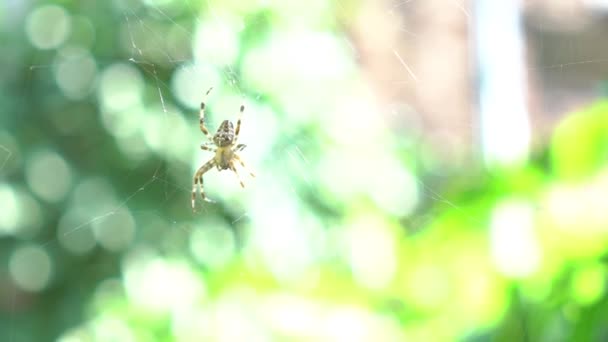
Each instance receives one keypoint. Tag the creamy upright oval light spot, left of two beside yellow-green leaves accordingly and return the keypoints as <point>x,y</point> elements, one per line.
<point>371,252</point>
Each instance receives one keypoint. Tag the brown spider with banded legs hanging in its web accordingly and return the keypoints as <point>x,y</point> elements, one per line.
<point>223,143</point>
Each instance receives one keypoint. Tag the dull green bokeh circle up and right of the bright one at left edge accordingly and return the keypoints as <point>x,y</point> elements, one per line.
<point>48,175</point>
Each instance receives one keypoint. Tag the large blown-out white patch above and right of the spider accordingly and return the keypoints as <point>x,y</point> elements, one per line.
<point>286,64</point>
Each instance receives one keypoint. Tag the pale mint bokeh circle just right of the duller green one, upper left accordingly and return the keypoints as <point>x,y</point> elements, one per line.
<point>121,87</point>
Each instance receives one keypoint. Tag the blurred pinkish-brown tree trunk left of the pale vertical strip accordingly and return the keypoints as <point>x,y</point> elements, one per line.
<point>416,54</point>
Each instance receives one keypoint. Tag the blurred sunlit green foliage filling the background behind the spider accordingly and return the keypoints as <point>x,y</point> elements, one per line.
<point>346,234</point>
